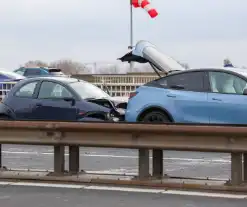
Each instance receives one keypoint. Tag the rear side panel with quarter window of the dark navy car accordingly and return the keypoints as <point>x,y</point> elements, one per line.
<point>23,100</point>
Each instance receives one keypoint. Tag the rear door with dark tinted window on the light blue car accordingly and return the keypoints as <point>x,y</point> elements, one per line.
<point>186,96</point>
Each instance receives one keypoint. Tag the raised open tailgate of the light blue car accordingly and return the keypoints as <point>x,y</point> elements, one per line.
<point>146,52</point>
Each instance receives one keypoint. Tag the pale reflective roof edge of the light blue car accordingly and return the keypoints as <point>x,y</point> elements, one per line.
<point>240,71</point>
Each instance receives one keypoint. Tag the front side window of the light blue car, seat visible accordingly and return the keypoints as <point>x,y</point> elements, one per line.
<point>221,82</point>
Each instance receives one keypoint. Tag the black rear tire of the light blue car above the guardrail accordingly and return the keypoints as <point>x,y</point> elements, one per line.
<point>155,117</point>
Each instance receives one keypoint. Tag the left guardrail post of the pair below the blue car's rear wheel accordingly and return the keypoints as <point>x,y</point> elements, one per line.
<point>143,163</point>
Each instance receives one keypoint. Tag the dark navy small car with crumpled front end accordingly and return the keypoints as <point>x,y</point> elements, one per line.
<point>59,98</point>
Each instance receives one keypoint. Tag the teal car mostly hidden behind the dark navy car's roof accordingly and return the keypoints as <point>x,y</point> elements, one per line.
<point>39,71</point>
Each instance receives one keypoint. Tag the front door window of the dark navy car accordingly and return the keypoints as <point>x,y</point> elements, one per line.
<point>51,90</point>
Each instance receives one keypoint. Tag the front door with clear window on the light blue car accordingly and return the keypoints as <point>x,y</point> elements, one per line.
<point>227,103</point>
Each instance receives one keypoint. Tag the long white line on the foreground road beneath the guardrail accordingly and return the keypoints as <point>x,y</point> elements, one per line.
<point>126,189</point>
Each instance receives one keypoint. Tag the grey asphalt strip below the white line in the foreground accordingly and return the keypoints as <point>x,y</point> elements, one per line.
<point>18,196</point>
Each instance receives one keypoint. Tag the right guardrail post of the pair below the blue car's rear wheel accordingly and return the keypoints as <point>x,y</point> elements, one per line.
<point>157,163</point>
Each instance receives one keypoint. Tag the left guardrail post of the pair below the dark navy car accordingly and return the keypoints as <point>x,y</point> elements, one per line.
<point>59,159</point>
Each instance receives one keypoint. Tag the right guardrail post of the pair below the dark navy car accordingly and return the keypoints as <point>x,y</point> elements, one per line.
<point>74,159</point>
